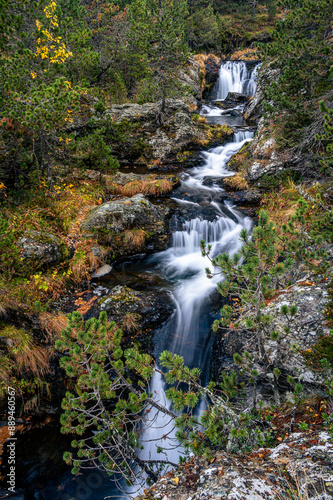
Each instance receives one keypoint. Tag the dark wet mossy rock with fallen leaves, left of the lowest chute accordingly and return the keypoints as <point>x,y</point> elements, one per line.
<point>148,309</point>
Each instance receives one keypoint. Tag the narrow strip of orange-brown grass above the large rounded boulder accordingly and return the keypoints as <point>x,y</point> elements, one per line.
<point>152,187</point>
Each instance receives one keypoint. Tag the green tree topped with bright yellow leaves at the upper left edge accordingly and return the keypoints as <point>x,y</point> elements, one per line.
<point>38,103</point>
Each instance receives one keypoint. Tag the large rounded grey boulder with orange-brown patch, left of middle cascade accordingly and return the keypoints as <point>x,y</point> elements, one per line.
<point>128,225</point>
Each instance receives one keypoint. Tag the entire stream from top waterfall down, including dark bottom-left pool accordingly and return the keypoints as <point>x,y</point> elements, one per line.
<point>201,213</point>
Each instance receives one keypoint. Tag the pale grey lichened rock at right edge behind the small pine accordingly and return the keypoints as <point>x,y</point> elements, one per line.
<point>306,327</point>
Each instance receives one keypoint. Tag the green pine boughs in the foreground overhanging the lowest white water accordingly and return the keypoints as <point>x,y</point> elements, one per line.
<point>110,403</point>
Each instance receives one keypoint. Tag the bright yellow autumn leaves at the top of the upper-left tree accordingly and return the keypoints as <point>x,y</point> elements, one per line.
<point>50,46</point>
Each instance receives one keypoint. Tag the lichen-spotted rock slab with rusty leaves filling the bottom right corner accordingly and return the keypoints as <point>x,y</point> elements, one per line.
<point>303,460</point>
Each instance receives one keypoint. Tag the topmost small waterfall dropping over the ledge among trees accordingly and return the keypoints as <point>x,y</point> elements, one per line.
<point>234,77</point>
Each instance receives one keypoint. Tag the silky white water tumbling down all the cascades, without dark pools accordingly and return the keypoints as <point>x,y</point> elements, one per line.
<point>187,333</point>
